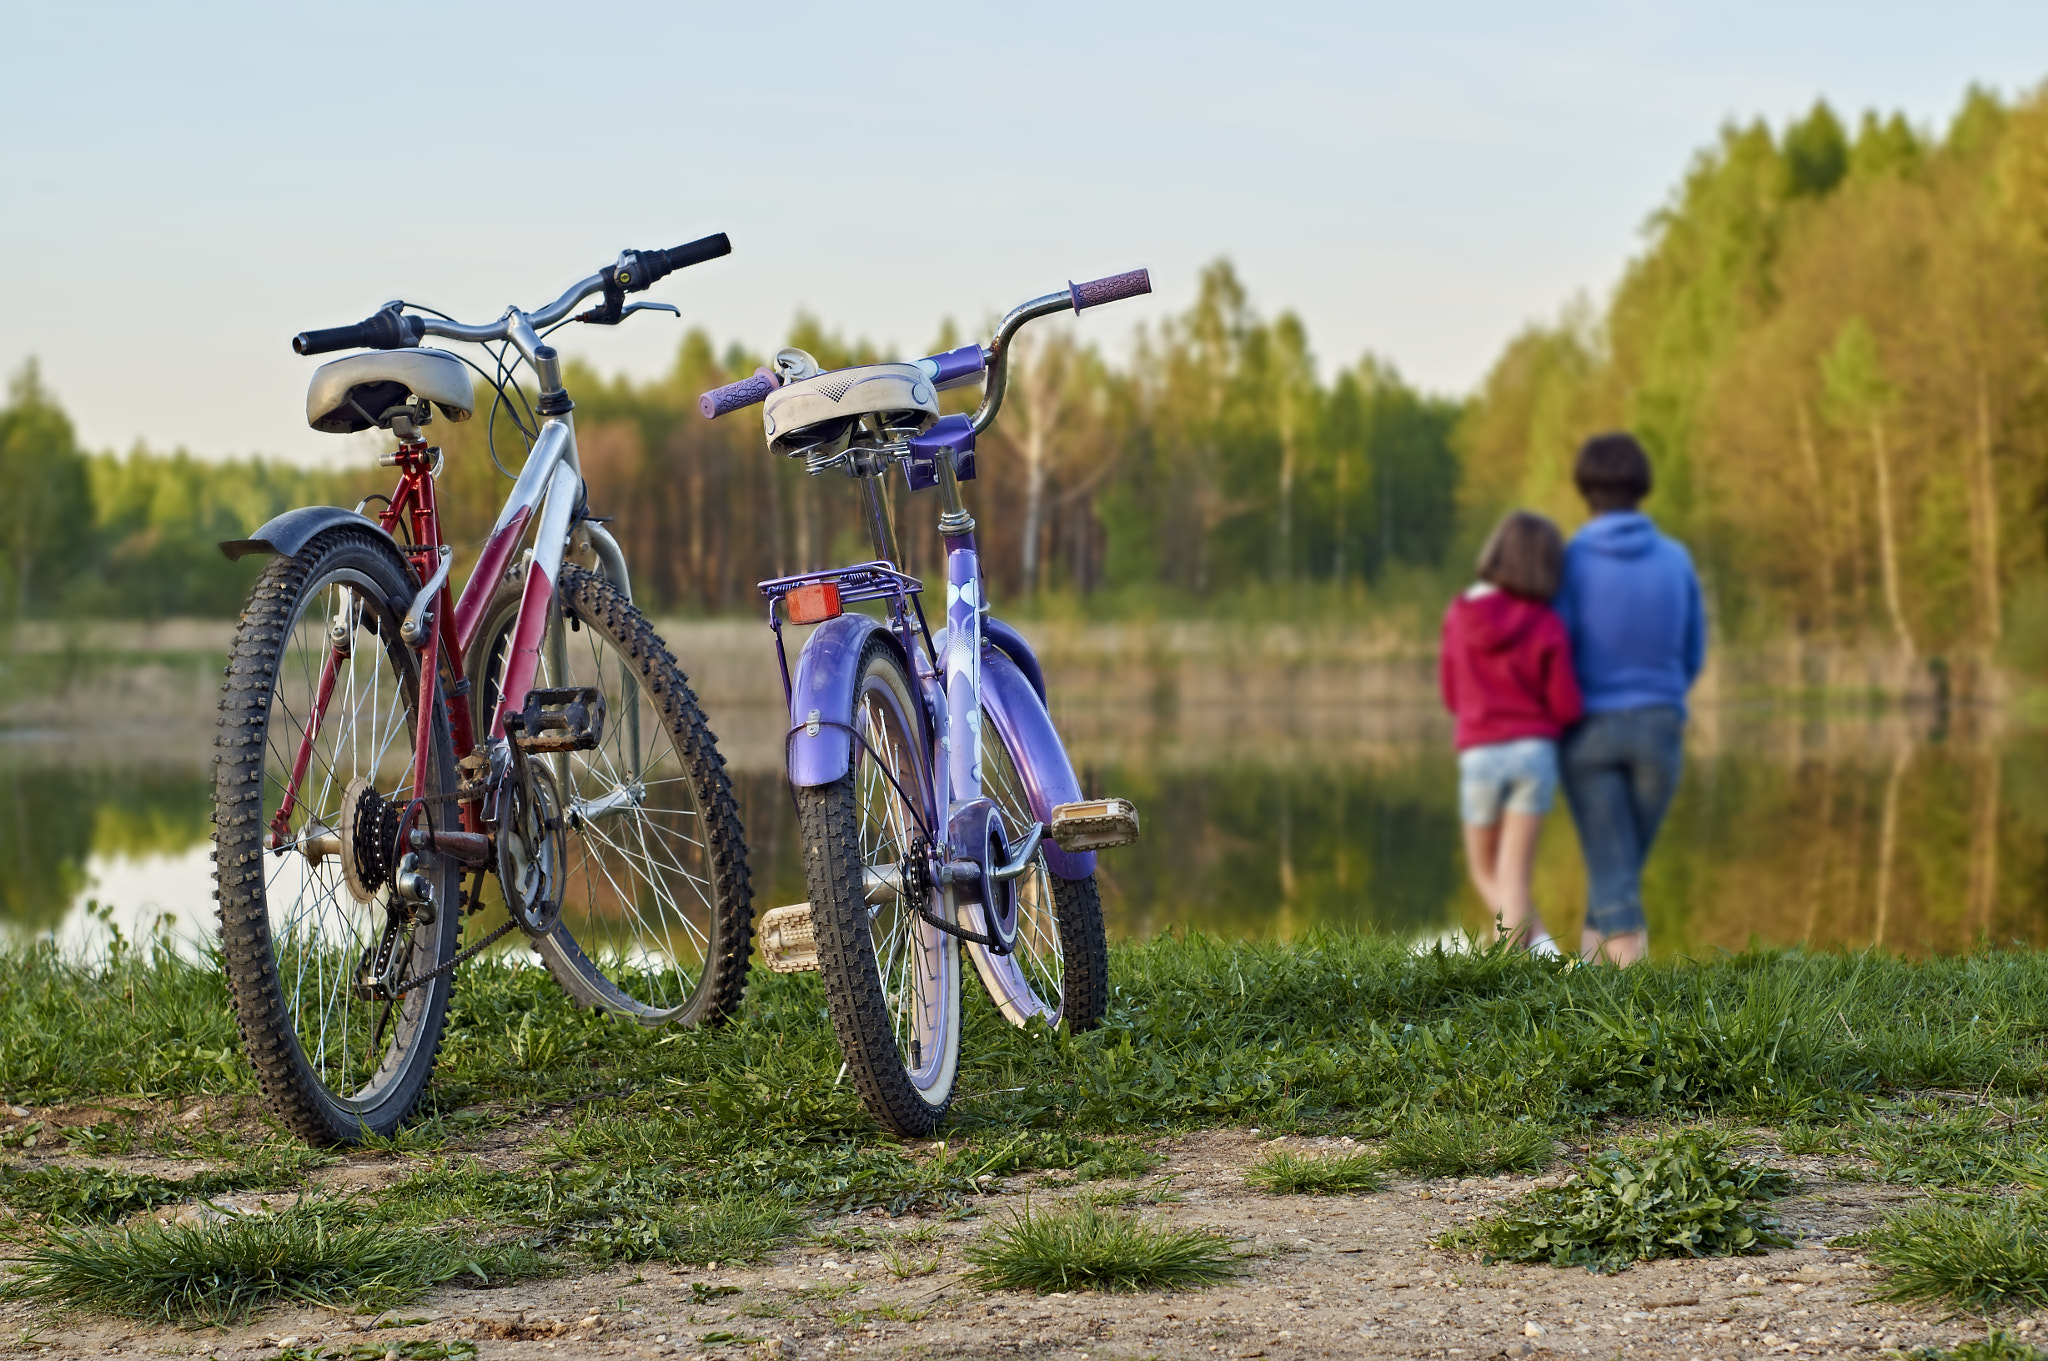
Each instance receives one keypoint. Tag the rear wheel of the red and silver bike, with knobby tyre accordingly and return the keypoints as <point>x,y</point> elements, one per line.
<point>333,1059</point>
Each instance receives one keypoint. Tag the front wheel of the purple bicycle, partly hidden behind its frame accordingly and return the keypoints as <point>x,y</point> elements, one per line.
<point>1060,969</point>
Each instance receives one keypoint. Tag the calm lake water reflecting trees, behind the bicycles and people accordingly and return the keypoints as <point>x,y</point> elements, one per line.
<point>1789,828</point>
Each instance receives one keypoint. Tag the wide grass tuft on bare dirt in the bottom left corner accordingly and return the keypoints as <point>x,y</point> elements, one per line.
<point>312,1254</point>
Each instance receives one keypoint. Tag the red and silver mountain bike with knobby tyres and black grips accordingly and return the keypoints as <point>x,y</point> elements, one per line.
<point>388,748</point>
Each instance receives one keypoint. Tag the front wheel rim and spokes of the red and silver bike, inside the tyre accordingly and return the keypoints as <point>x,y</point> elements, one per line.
<point>638,891</point>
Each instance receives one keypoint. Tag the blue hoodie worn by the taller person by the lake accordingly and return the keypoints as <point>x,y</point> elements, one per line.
<point>1631,605</point>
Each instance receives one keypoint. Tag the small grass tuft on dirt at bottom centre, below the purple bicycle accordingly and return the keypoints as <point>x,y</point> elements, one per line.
<point>1082,1245</point>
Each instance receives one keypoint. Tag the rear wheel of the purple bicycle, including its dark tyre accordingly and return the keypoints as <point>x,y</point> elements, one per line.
<point>892,977</point>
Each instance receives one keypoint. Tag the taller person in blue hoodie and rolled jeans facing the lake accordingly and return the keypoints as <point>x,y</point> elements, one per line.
<point>1631,605</point>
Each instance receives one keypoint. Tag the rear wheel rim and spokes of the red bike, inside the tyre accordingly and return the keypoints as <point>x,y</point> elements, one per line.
<point>318,932</point>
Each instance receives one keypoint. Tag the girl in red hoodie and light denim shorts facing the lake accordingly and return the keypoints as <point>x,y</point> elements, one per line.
<point>1506,674</point>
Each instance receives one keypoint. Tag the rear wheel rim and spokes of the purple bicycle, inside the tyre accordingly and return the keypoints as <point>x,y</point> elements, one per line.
<point>916,961</point>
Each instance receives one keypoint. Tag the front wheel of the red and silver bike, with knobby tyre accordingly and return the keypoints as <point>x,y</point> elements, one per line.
<point>658,906</point>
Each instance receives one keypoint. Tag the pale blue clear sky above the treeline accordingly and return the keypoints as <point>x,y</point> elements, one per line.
<point>187,187</point>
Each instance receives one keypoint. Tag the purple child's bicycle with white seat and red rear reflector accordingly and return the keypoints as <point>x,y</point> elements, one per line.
<point>939,805</point>
